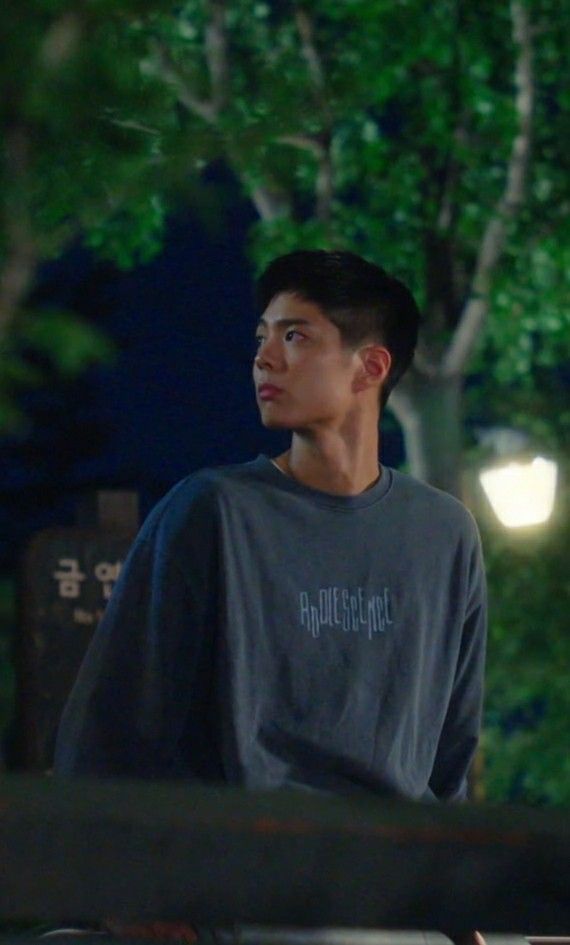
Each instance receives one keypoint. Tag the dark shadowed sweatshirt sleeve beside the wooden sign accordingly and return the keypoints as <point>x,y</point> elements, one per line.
<point>137,706</point>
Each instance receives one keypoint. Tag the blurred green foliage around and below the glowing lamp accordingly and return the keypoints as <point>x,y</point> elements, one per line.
<point>525,756</point>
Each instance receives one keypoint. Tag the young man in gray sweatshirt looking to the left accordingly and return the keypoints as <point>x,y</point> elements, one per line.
<point>314,620</point>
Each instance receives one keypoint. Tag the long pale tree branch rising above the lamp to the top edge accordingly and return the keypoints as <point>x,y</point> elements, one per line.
<point>494,237</point>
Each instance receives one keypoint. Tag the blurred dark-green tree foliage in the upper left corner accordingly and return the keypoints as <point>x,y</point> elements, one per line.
<point>69,168</point>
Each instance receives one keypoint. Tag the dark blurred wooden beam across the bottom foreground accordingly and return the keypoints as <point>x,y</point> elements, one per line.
<point>84,850</point>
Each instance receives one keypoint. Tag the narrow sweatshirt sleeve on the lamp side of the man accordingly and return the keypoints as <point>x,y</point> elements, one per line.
<point>460,732</point>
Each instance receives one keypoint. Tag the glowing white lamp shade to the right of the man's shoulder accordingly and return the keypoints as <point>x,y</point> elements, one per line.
<point>521,493</point>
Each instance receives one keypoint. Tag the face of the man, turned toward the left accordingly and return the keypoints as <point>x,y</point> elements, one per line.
<point>300,351</point>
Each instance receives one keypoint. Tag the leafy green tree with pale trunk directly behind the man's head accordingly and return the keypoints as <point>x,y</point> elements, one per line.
<point>405,134</point>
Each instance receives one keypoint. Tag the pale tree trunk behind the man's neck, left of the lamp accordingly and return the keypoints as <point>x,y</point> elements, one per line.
<point>429,410</point>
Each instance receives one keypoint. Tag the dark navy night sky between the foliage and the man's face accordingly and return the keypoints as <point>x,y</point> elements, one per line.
<point>180,396</point>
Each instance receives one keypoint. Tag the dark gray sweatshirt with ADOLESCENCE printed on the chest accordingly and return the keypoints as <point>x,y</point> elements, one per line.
<point>266,634</point>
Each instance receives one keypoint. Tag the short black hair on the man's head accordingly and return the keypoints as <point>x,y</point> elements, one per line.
<point>360,298</point>
